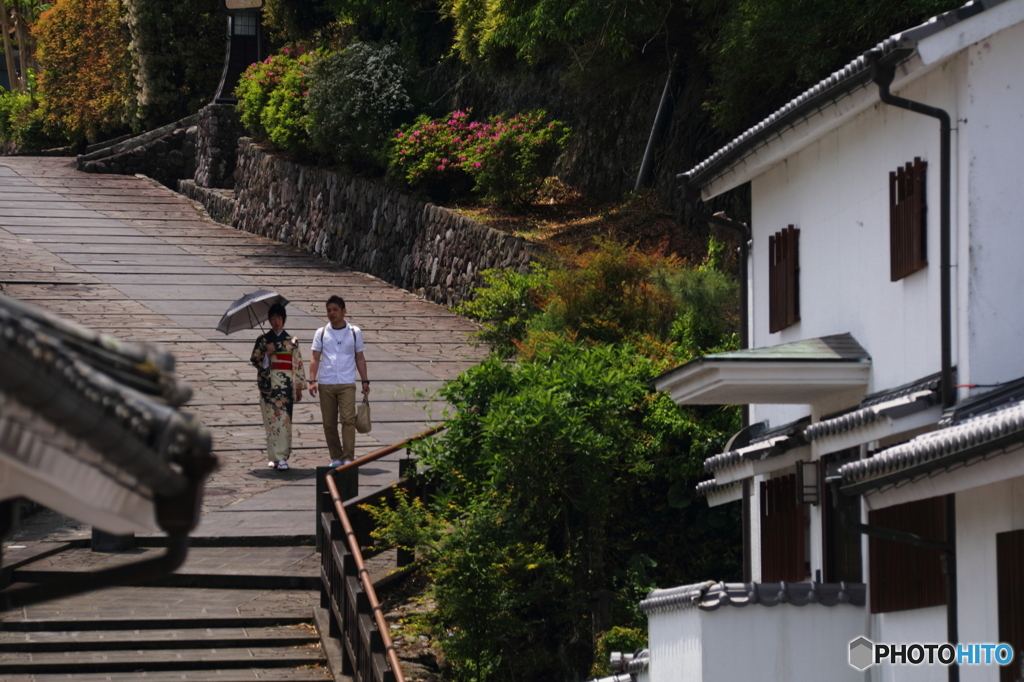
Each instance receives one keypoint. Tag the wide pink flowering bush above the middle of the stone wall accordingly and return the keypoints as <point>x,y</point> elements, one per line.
<point>505,159</point>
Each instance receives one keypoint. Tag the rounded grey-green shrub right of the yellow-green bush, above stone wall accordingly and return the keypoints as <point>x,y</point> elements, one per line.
<point>357,98</point>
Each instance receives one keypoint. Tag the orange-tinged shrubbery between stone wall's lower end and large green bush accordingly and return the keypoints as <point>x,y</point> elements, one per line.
<point>611,294</point>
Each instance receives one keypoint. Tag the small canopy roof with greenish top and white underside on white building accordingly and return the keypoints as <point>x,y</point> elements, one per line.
<point>799,373</point>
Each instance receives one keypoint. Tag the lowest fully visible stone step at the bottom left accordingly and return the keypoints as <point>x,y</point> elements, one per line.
<point>146,661</point>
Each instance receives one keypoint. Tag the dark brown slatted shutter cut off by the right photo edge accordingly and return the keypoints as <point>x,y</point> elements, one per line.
<point>1010,596</point>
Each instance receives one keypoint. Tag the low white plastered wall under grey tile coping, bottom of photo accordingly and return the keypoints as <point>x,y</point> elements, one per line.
<point>781,644</point>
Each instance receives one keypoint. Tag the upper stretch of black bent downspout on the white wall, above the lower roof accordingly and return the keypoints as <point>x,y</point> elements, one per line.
<point>883,75</point>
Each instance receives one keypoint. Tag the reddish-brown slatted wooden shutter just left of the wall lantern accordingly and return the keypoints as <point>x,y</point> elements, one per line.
<point>783,531</point>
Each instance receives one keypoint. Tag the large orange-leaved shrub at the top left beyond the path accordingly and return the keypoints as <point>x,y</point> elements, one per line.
<point>88,88</point>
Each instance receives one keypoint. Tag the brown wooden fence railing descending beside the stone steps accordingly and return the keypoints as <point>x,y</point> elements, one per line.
<point>347,589</point>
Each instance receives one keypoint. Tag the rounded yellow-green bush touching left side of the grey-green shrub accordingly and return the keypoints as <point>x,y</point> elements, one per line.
<point>272,99</point>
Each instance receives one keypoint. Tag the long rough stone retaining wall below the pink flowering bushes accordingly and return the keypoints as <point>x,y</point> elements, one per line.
<point>370,228</point>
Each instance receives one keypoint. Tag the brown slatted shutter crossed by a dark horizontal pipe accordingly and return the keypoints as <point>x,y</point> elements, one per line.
<point>904,577</point>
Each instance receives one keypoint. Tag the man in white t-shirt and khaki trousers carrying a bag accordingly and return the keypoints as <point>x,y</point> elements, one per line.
<point>337,357</point>
